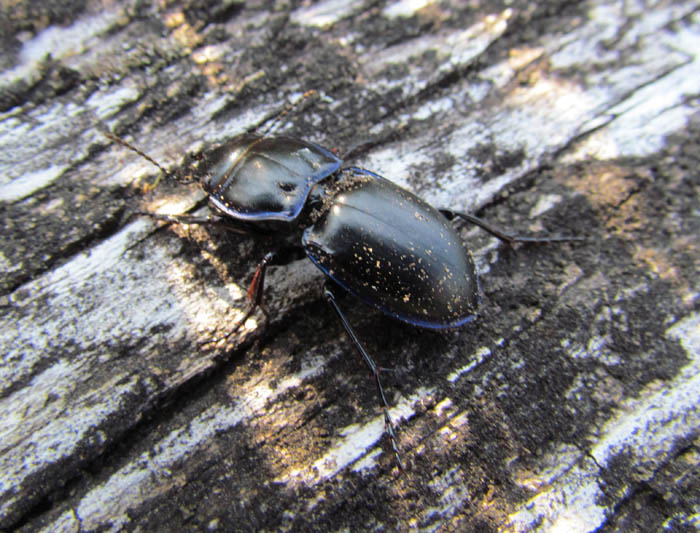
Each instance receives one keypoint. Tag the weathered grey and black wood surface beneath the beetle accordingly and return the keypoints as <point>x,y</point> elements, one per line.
<point>571,404</point>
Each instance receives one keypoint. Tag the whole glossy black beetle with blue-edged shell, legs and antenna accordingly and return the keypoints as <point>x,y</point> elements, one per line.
<point>375,240</point>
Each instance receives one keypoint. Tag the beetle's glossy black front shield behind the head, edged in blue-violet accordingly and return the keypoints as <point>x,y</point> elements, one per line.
<point>264,178</point>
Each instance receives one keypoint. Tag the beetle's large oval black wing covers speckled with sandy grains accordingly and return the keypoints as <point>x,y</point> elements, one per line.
<point>393,251</point>
